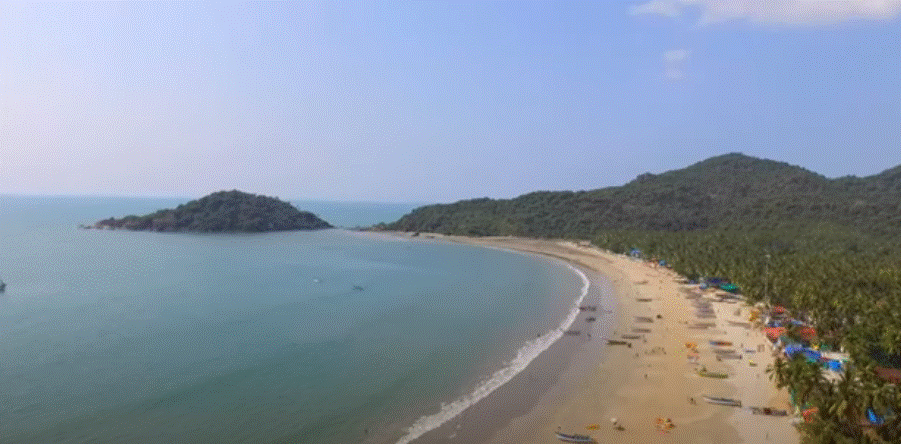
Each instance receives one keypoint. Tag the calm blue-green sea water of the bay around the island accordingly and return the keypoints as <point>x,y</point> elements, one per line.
<point>304,337</point>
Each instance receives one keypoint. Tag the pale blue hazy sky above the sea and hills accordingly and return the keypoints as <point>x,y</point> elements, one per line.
<point>436,101</point>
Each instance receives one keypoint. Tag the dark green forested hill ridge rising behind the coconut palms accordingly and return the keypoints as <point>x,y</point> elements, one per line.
<point>732,191</point>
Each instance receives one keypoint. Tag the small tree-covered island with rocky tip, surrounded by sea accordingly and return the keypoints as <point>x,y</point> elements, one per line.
<point>222,212</point>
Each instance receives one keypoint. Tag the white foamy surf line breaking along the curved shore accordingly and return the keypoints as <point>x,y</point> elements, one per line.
<point>526,354</point>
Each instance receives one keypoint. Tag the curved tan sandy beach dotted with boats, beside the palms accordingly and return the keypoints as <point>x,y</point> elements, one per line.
<point>580,381</point>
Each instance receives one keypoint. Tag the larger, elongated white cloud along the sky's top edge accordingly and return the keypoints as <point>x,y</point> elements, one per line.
<point>786,12</point>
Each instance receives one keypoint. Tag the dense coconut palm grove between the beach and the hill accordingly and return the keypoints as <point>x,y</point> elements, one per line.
<point>845,283</point>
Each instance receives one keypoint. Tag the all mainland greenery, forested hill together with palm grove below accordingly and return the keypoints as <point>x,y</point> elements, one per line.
<point>829,249</point>
